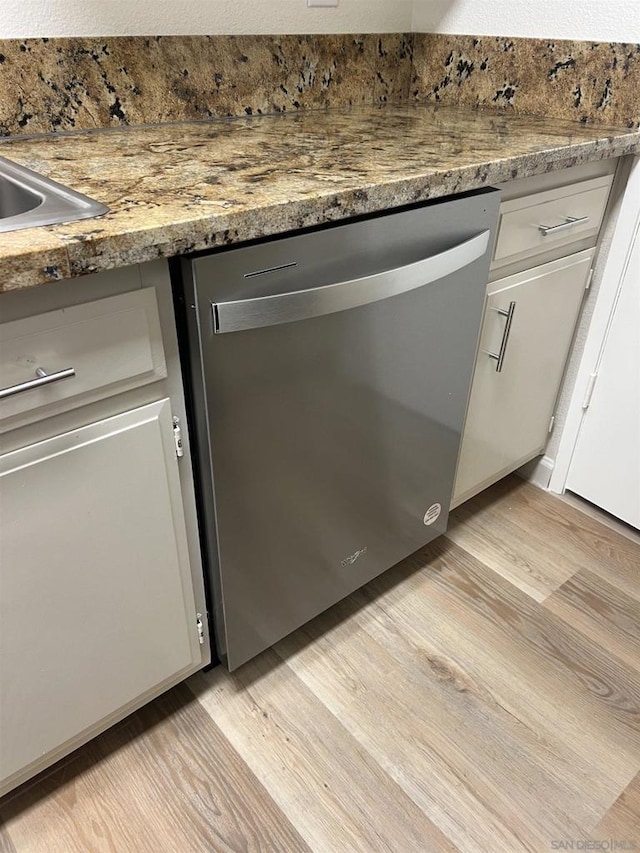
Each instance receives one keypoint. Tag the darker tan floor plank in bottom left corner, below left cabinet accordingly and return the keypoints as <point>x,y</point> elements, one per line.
<point>166,780</point>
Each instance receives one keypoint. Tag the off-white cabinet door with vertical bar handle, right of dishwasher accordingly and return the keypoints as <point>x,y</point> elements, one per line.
<point>512,400</point>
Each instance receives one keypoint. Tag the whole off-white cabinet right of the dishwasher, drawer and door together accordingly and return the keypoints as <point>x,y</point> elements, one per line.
<point>547,237</point>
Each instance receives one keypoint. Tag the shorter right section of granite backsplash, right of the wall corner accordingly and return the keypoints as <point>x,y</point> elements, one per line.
<point>575,80</point>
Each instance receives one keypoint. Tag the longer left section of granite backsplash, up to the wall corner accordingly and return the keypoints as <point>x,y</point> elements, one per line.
<point>82,83</point>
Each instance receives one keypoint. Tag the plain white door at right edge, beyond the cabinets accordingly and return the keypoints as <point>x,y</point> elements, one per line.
<point>605,468</point>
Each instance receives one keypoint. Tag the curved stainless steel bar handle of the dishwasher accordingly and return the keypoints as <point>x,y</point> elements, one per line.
<point>236,316</point>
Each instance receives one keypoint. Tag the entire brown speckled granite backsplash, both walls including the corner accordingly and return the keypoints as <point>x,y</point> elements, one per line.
<point>61,84</point>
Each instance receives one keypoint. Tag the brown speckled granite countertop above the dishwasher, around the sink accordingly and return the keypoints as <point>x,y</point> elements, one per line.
<point>183,187</point>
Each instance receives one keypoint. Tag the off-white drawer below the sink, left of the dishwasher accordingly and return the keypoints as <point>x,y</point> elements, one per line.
<point>78,355</point>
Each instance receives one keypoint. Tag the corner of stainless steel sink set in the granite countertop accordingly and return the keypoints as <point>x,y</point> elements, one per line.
<point>28,199</point>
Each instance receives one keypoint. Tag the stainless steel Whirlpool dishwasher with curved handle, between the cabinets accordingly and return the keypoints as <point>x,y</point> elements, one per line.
<point>329,373</point>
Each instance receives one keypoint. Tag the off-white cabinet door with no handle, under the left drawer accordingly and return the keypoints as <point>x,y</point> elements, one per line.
<point>96,598</point>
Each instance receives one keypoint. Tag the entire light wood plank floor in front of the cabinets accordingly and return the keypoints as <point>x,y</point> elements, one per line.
<point>483,695</point>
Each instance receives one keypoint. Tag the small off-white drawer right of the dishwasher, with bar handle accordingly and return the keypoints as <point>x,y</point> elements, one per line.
<point>547,220</point>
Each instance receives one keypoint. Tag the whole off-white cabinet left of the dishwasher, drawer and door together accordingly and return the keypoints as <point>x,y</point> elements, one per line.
<point>101,591</point>
